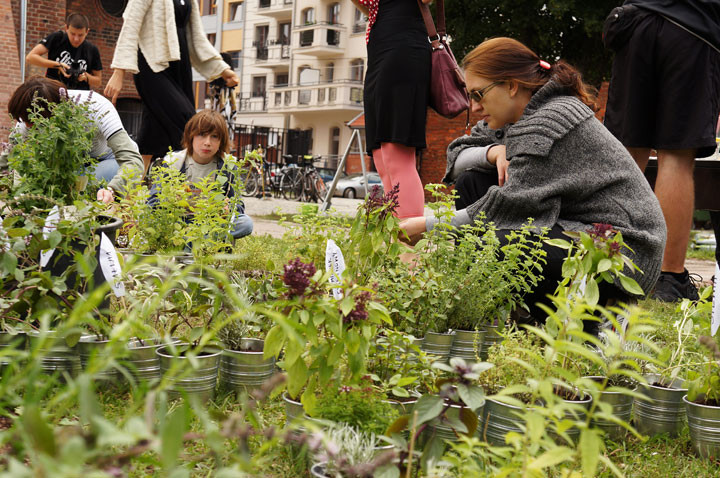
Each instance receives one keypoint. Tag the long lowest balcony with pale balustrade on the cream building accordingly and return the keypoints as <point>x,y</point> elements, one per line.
<point>337,95</point>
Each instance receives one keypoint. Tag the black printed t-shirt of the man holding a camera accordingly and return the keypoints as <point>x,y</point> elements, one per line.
<point>86,57</point>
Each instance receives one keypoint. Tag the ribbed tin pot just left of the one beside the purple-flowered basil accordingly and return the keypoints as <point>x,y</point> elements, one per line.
<point>200,381</point>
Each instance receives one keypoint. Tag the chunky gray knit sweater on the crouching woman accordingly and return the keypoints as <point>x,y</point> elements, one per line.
<point>567,169</point>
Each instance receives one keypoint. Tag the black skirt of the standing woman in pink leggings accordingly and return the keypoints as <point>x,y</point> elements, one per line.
<point>397,83</point>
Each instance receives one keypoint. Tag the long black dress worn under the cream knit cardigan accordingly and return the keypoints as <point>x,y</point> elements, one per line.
<point>167,96</point>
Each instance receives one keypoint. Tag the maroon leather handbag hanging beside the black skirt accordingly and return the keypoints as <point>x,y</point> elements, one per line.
<point>448,95</point>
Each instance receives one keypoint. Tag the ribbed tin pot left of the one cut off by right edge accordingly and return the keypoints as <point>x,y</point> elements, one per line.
<point>664,410</point>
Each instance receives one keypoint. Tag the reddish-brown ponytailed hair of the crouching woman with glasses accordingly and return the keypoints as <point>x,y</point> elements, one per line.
<point>503,59</point>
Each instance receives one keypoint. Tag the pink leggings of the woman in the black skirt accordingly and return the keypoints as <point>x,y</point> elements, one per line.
<point>395,164</point>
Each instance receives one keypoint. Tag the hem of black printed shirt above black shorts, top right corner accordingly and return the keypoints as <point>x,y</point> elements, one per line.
<point>702,17</point>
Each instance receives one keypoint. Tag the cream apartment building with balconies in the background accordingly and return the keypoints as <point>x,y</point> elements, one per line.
<point>301,64</point>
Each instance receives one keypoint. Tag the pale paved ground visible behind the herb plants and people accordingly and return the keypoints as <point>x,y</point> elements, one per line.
<point>265,207</point>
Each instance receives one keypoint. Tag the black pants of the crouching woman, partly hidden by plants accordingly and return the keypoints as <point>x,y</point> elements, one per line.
<point>471,186</point>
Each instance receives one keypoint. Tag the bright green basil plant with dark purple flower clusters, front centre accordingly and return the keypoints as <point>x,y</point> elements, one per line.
<point>323,338</point>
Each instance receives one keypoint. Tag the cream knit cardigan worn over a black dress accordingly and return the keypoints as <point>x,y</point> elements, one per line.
<point>150,25</point>
